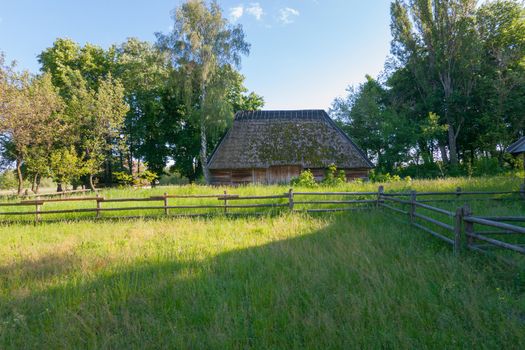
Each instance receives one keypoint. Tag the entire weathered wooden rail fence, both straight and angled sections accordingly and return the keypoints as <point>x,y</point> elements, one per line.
<point>460,227</point>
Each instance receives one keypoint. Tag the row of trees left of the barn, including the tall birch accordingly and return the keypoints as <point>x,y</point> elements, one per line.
<point>95,112</point>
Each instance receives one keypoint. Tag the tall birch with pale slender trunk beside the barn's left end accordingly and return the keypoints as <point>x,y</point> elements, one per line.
<point>201,43</point>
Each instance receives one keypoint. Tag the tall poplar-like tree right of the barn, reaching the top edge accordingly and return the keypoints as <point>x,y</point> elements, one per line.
<point>437,40</point>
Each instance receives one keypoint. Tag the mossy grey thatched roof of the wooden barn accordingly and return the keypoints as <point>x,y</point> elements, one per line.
<point>308,138</point>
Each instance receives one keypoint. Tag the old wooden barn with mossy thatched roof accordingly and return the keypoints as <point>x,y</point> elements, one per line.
<point>275,146</point>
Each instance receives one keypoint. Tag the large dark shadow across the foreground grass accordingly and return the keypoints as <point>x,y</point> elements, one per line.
<point>348,285</point>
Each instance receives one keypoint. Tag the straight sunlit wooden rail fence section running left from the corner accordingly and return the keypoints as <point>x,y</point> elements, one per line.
<point>226,203</point>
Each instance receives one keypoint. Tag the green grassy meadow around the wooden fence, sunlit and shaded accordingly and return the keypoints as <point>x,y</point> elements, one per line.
<point>352,280</point>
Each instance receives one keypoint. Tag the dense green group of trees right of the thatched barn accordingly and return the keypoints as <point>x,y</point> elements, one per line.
<point>452,95</point>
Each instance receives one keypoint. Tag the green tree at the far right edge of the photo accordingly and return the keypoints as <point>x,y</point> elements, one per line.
<point>501,93</point>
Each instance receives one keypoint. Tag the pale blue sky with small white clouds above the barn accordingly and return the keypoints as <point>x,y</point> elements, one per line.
<point>304,52</point>
